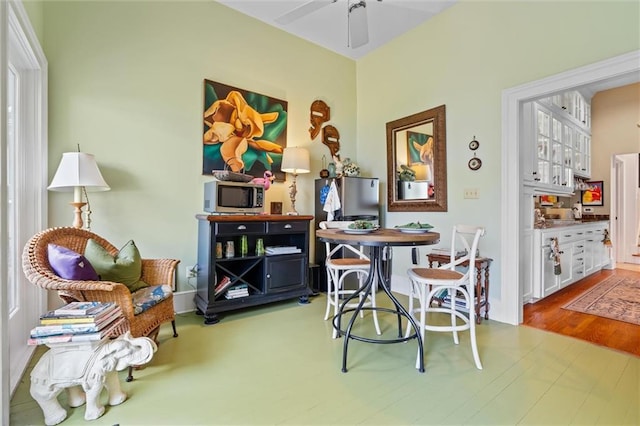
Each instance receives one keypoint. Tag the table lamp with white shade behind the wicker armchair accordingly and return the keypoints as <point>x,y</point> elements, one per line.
<point>78,172</point>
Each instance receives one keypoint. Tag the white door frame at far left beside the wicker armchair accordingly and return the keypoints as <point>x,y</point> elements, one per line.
<point>21,48</point>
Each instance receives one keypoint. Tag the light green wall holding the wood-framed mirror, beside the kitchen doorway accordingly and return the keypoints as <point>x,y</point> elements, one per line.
<point>464,58</point>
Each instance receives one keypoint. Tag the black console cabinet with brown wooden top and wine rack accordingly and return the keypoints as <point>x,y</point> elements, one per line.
<point>265,277</point>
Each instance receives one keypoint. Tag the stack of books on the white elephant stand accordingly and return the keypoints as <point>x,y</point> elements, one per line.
<point>77,322</point>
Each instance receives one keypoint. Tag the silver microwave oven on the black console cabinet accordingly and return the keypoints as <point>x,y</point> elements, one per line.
<point>233,197</point>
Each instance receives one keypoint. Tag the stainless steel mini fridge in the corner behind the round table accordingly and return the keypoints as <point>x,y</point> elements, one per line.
<point>359,200</point>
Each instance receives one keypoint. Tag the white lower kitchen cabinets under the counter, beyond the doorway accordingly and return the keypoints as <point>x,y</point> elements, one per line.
<point>582,253</point>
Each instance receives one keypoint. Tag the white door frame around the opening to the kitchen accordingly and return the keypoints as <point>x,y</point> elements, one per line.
<point>512,99</point>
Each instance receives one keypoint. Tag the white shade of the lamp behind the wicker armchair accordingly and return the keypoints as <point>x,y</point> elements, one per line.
<point>78,169</point>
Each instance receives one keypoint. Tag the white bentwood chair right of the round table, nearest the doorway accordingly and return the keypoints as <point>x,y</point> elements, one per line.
<point>456,288</point>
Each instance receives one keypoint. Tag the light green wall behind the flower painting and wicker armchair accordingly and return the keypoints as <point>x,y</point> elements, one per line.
<point>126,83</point>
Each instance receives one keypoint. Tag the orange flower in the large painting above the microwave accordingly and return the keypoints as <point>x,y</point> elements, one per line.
<point>236,125</point>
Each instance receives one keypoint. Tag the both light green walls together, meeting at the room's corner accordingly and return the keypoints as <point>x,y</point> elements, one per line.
<point>126,84</point>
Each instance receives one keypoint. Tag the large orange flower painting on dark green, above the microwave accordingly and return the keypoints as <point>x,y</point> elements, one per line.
<point>244,132</point>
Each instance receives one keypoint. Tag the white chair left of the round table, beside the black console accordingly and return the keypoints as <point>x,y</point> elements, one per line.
<point>342,260</point>
